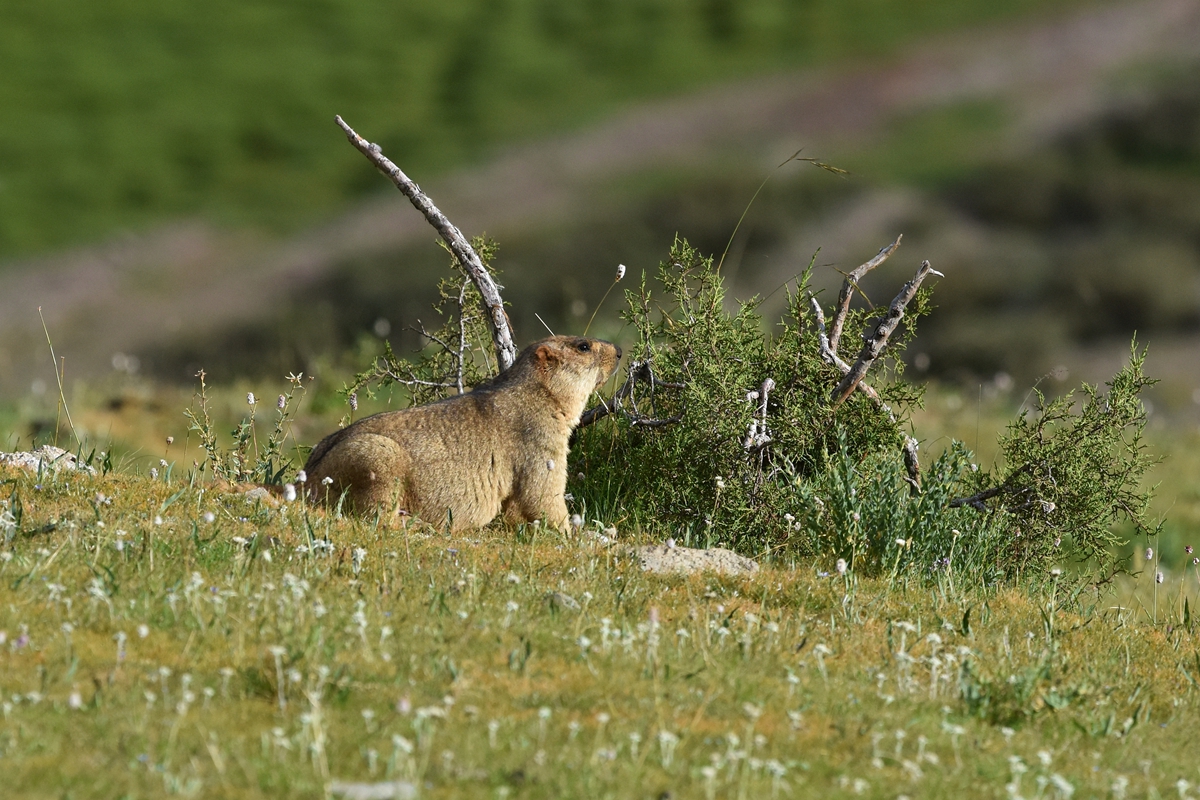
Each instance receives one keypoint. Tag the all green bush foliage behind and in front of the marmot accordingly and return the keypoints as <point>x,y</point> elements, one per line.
<point>724,434</point>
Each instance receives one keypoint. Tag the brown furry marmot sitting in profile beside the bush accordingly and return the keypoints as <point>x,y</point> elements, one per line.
<point>500,448</point>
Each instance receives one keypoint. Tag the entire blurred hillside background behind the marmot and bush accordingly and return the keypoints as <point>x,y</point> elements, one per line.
<point>175,195</point>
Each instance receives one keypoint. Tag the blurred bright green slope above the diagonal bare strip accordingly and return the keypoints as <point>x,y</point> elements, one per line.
<point>124,115</point>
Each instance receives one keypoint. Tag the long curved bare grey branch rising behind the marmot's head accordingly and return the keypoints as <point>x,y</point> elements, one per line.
<point>494,305</point>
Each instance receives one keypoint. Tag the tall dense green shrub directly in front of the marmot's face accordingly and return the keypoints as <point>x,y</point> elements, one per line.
<point>727,472</point>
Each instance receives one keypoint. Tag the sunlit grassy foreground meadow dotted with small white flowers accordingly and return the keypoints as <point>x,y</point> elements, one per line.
<point>268,652</point>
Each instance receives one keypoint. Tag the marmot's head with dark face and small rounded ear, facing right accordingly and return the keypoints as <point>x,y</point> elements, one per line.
<point>572,368</point>
